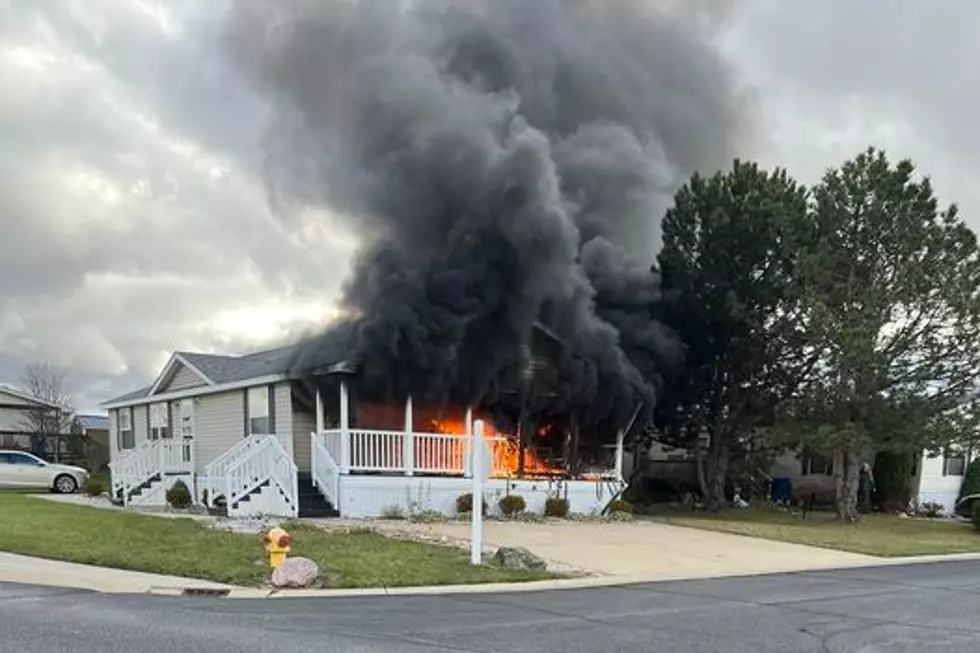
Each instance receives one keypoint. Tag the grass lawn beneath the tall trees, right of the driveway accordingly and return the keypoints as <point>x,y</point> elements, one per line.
<point>877,535</point>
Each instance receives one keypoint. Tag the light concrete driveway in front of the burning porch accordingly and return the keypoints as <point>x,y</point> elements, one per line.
<point>641,550</point>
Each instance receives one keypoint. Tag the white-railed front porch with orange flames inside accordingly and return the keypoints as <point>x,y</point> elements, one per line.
<point>365,472</point>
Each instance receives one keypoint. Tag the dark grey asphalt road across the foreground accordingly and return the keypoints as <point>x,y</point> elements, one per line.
<point>920,608</point>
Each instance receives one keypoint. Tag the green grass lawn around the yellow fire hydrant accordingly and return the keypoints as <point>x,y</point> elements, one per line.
<point>184,547</point>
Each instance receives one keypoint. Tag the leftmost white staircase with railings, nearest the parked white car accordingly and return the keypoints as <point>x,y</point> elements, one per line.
<point>138,477</point>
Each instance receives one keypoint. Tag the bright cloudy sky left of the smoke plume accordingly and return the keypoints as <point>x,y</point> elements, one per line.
<point>131,198</point>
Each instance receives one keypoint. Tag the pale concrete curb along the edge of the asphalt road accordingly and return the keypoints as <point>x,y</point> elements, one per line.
<point>552,585</point>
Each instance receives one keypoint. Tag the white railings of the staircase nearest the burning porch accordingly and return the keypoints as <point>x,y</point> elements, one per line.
<point>265,462</point>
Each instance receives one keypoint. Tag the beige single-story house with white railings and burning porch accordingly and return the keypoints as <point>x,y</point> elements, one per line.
<point>245,433</point>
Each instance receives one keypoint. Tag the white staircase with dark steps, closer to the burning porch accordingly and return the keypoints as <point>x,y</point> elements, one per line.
<point>256,477</point>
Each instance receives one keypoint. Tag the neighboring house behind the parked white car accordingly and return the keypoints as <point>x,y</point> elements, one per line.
<point>20,422</point>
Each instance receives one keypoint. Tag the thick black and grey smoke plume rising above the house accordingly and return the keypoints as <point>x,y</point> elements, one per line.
<point>505,164</point>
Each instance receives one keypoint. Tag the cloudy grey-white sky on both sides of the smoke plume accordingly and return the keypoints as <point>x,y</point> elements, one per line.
<point>133,218</point>
